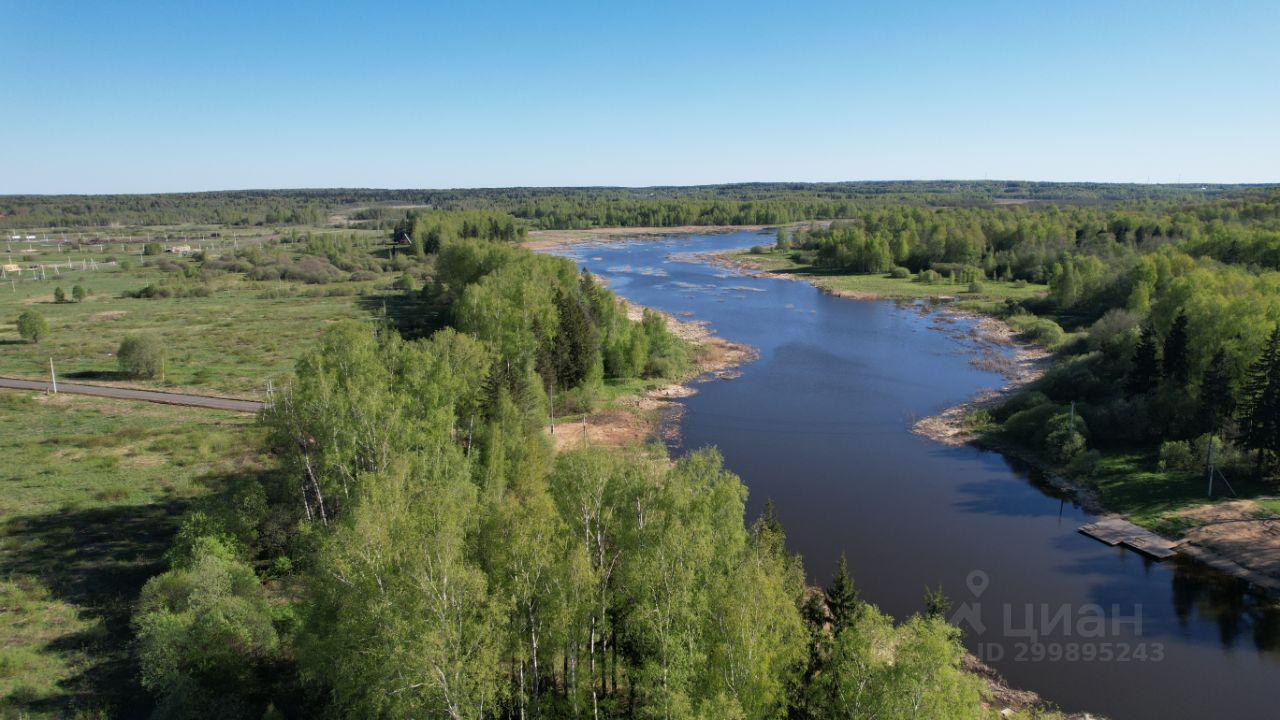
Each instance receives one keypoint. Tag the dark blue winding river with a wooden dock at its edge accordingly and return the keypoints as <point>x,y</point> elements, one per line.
<point>821,425</point>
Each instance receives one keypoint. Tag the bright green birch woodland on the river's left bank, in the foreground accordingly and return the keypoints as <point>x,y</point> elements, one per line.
<point>422,552</point>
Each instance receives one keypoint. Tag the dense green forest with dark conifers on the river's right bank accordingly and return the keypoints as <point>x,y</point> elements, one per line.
<point>1165,318</point>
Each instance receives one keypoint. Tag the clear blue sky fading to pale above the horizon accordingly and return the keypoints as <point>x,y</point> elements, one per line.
<point>130,97</point>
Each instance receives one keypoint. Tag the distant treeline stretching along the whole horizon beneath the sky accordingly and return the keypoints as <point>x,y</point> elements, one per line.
<point>559,208</point>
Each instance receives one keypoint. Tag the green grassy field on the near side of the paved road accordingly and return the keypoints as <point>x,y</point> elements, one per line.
<point>94,490</point>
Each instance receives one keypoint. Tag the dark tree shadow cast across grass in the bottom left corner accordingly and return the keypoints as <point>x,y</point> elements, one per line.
<point>98,562</point>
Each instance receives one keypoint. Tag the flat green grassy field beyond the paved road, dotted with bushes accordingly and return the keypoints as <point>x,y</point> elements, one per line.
<point>231,343</point>
